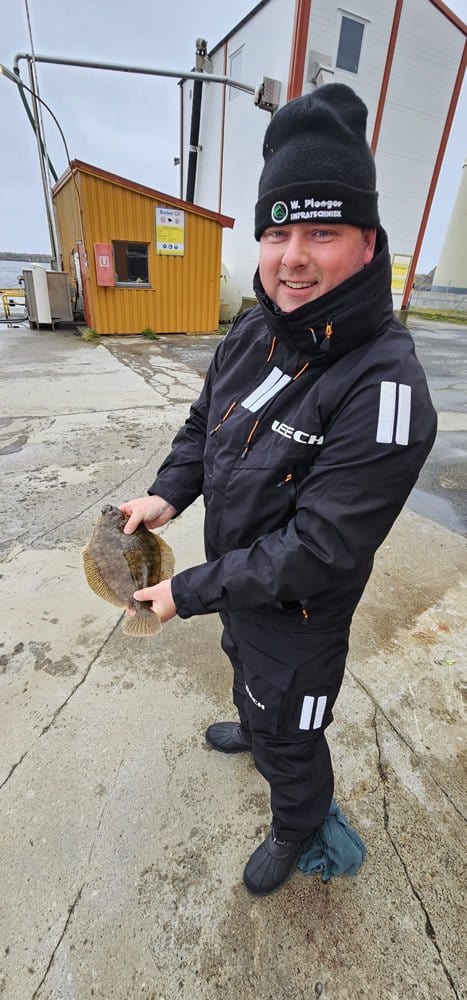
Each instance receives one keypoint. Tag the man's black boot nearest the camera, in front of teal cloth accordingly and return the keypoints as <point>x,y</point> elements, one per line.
<point>272,864</point>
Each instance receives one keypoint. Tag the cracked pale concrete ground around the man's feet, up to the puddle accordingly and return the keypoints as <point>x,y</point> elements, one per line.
<point>123,837</point>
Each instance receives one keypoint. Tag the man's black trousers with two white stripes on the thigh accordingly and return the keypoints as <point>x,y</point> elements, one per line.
<point>285,683</point>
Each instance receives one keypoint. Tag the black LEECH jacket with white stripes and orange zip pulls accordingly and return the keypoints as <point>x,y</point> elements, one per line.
<point>304,456</point>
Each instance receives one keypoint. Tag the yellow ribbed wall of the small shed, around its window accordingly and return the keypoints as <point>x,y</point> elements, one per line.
<point>185,291</point>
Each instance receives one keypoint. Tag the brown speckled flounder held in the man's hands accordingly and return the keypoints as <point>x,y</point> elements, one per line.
<point>116,565</point>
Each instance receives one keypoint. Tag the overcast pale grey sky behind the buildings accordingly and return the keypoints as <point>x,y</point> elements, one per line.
<point>129,124</point>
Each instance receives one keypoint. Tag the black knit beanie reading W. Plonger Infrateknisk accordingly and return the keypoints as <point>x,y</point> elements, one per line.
<point>318,165</point>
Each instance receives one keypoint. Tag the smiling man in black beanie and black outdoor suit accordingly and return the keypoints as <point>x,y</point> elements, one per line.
<point>310,432</point>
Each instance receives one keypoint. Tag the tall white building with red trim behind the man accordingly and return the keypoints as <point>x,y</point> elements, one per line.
<point>405,58</point>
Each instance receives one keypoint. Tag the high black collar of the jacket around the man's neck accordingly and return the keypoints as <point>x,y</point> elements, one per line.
<point>359,309</point>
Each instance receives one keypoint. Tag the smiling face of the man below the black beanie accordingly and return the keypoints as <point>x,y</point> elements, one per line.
<point>300,262</point>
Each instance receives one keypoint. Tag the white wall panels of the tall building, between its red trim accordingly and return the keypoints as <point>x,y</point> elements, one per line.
<point>424,68</point>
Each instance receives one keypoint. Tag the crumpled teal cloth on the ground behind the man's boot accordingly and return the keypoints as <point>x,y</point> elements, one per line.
<point>335,849</point>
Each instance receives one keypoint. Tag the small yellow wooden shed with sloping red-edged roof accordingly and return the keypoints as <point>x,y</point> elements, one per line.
<point>141,259</point>
